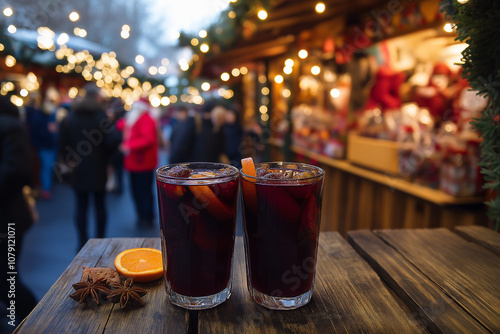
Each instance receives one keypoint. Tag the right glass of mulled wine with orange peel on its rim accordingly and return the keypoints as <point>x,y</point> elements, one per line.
<point>282,214</point>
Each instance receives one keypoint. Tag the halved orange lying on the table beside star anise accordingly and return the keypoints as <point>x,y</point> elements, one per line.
<point>141,264</point>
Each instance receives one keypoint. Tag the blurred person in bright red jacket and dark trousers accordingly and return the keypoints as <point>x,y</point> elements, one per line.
<point>140,146</point>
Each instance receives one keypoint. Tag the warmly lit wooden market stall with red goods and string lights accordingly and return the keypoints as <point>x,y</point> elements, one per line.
<point>373,96</point>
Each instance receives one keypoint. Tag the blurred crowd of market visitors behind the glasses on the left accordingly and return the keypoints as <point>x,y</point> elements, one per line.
<point>91,143</point>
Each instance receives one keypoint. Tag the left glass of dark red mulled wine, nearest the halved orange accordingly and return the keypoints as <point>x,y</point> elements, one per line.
<point>197,203</point>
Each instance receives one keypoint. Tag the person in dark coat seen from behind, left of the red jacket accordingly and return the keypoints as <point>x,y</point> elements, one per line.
<point>87,137</point>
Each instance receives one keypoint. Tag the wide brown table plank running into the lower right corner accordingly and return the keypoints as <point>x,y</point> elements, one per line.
<point>466,272</point>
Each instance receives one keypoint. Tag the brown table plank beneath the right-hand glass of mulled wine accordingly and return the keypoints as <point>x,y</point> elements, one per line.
<point>348,297</point>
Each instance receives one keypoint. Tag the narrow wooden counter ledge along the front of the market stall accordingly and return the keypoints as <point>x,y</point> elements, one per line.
<point>432,195</point>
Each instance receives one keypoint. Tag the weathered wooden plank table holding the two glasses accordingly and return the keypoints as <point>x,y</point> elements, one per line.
<point>385,281</point>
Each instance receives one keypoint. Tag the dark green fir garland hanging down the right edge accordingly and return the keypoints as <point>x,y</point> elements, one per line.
<point>478,24</point>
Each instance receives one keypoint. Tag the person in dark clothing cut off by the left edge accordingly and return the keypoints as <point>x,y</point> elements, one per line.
<point>15,214</point>
